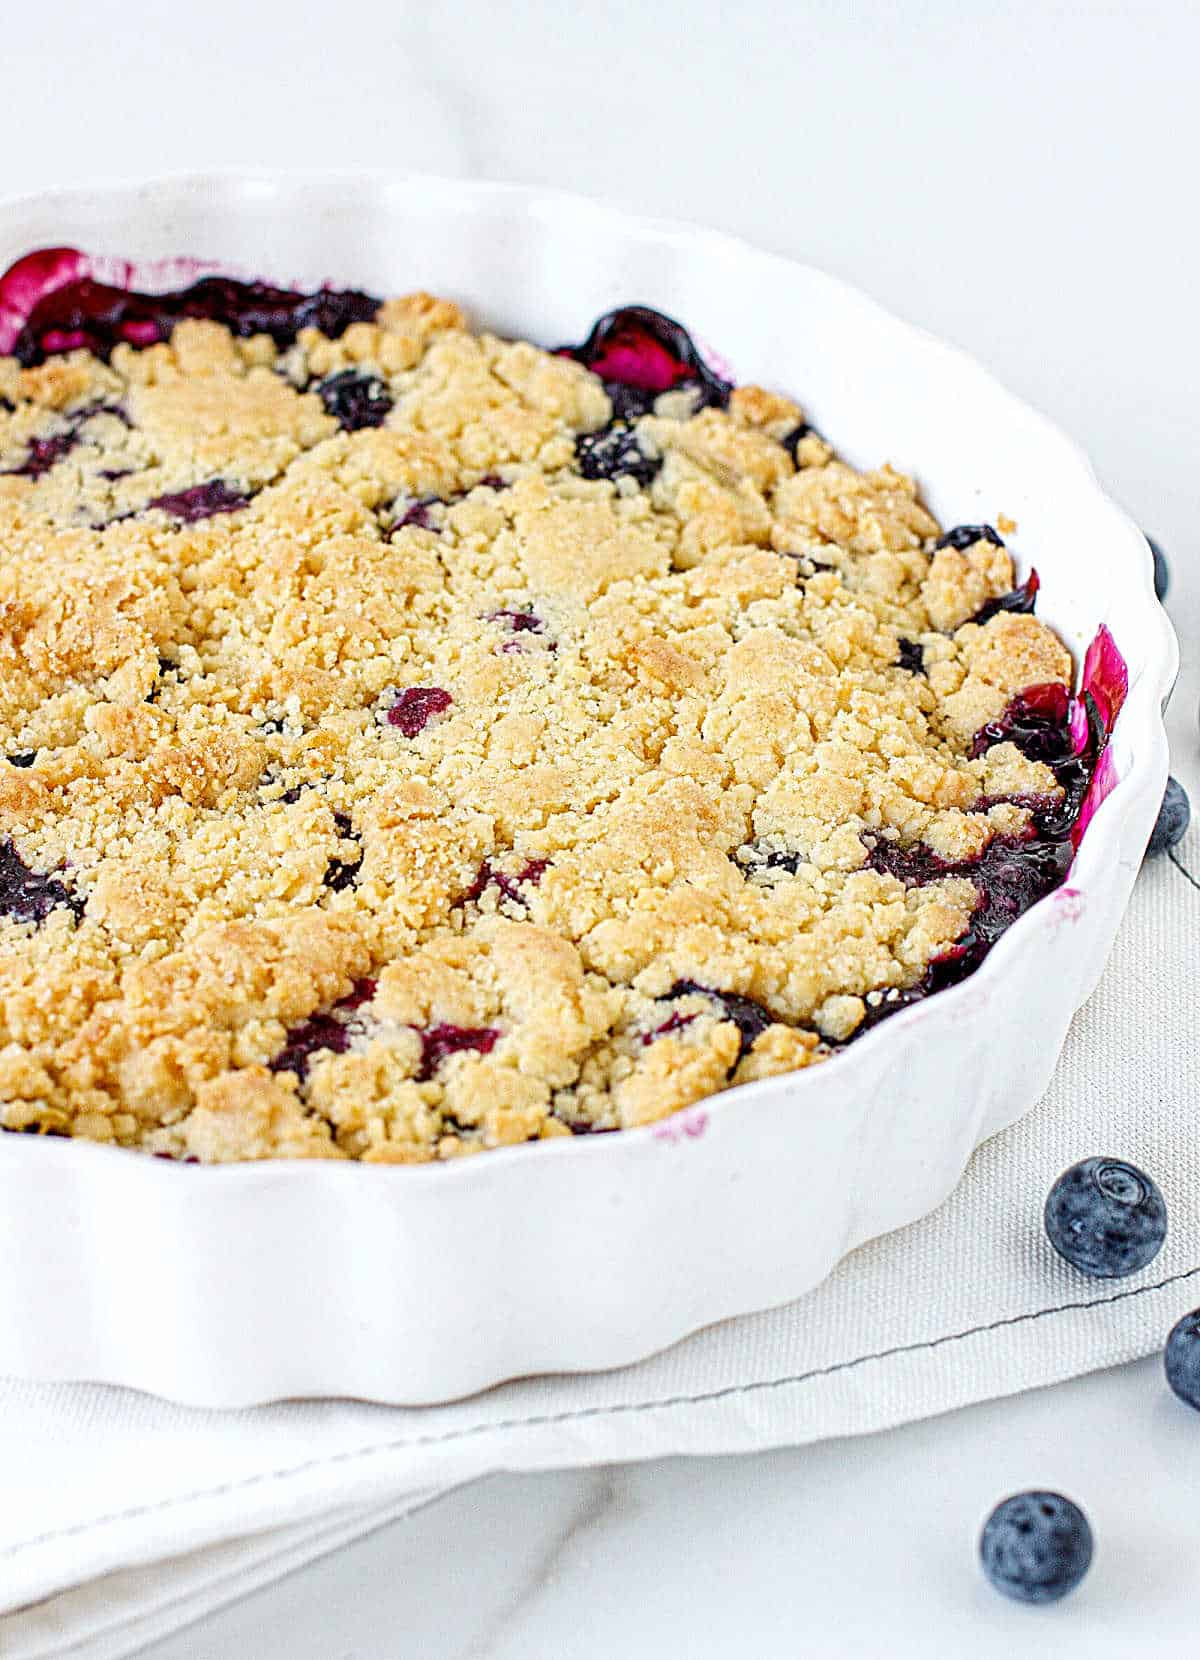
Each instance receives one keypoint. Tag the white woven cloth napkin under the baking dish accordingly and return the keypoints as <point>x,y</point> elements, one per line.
<point>125,1518</point>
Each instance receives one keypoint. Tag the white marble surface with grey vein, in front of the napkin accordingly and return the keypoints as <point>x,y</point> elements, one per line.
<point>856,1548</point>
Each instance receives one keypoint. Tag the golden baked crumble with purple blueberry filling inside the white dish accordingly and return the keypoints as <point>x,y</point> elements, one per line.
<point>421,741</point>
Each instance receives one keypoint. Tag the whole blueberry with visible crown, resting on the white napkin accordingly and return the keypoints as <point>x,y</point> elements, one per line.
<point>1106,1218</point>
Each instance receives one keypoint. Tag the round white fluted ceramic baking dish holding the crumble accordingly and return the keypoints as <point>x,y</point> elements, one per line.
<point>235,1286</point>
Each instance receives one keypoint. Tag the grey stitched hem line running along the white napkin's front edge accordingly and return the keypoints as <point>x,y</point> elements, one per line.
<point>617,1410</point>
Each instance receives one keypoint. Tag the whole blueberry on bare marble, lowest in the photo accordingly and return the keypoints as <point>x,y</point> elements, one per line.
<point>1037,1546</point>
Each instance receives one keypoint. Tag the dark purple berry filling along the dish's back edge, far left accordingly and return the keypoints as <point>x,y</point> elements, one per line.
<point>99,318</point>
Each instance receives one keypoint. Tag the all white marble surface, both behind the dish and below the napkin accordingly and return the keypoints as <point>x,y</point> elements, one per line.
<point>1020,178</point>
